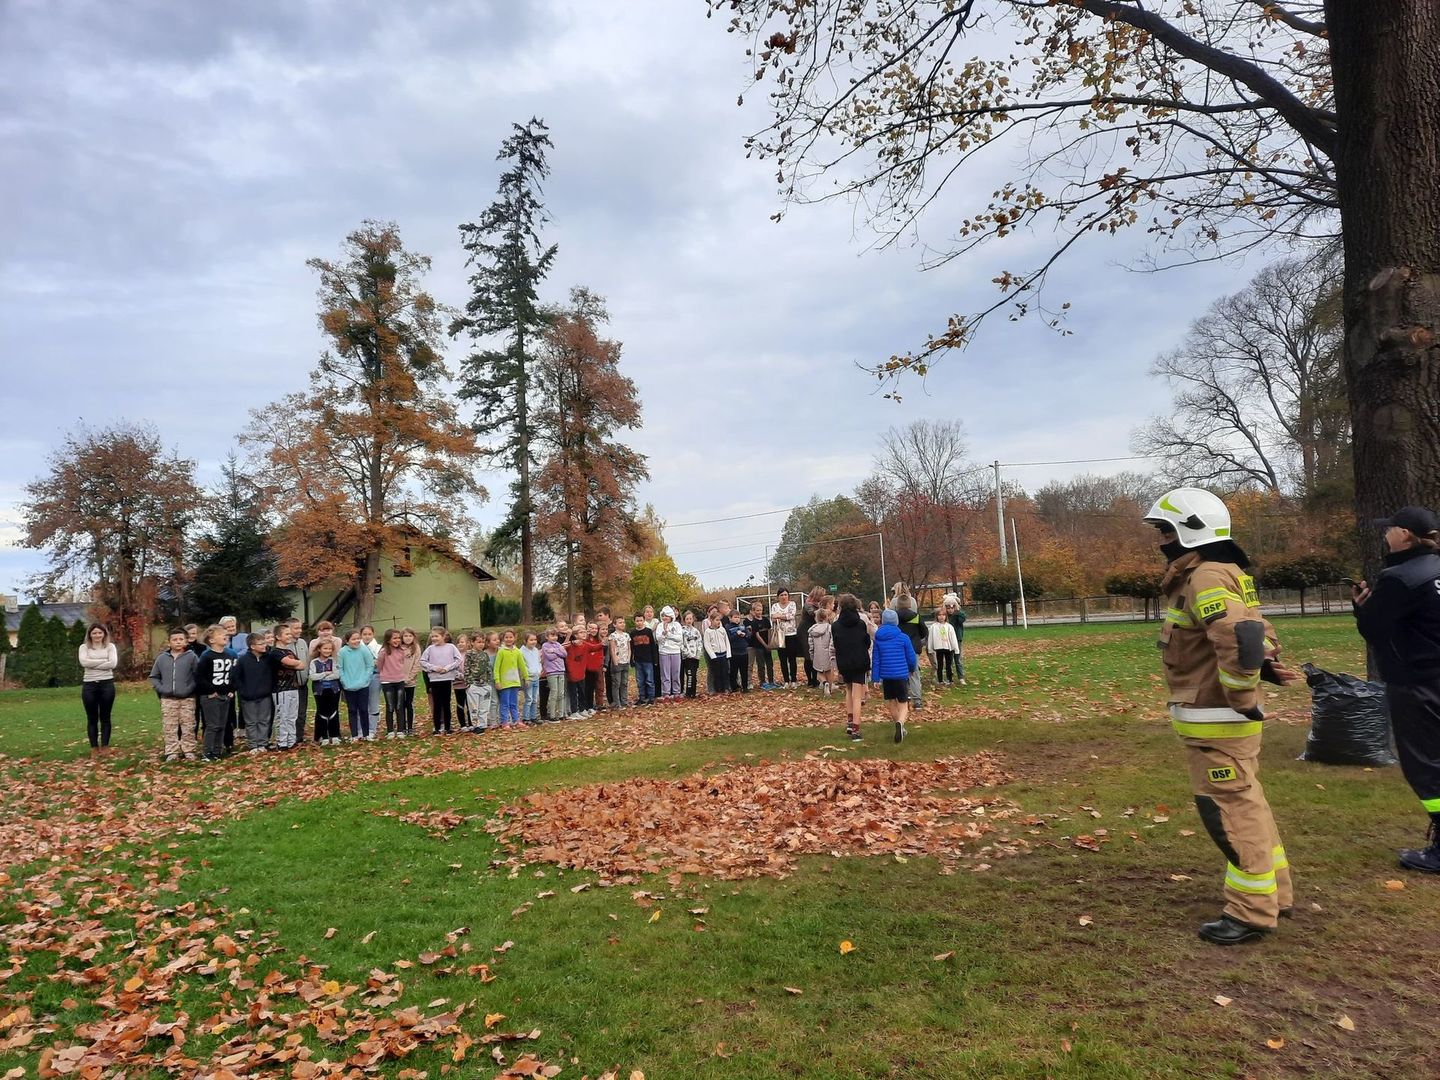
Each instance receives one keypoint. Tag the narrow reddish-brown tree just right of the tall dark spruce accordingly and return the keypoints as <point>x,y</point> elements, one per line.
<point>588,470</point>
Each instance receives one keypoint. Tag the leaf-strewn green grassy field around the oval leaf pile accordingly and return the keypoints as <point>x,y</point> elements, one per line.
<point>129,885</point>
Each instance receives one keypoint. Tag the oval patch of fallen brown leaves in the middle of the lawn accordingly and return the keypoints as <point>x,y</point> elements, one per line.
<point>755,822</point>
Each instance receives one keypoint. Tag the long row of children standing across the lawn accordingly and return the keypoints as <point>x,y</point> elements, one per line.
<point>217,682</point>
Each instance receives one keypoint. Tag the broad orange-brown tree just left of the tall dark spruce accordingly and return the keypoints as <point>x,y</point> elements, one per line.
<point>372,451</point>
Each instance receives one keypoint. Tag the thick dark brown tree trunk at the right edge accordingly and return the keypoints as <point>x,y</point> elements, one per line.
<point>1386,60</point>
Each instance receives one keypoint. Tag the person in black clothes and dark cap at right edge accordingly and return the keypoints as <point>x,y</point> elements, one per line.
<point>1400,621</point>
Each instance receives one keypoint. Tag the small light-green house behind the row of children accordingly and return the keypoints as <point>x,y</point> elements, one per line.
<point>430,585</point>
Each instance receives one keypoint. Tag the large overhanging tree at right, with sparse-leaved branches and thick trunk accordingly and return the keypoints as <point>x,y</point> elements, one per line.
<point>1210,125</point>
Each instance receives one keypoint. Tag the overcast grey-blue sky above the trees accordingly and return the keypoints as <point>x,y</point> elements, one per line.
<point>166,169</point>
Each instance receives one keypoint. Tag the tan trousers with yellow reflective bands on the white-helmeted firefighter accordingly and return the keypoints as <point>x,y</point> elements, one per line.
<point>1226,778</point>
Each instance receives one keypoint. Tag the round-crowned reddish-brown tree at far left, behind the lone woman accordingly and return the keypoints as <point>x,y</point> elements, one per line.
<point>113,510</point>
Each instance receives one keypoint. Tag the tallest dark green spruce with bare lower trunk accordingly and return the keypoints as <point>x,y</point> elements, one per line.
<point>509,263</point>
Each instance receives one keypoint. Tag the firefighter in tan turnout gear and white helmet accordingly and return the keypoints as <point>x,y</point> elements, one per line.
<point>1218,647</point>
